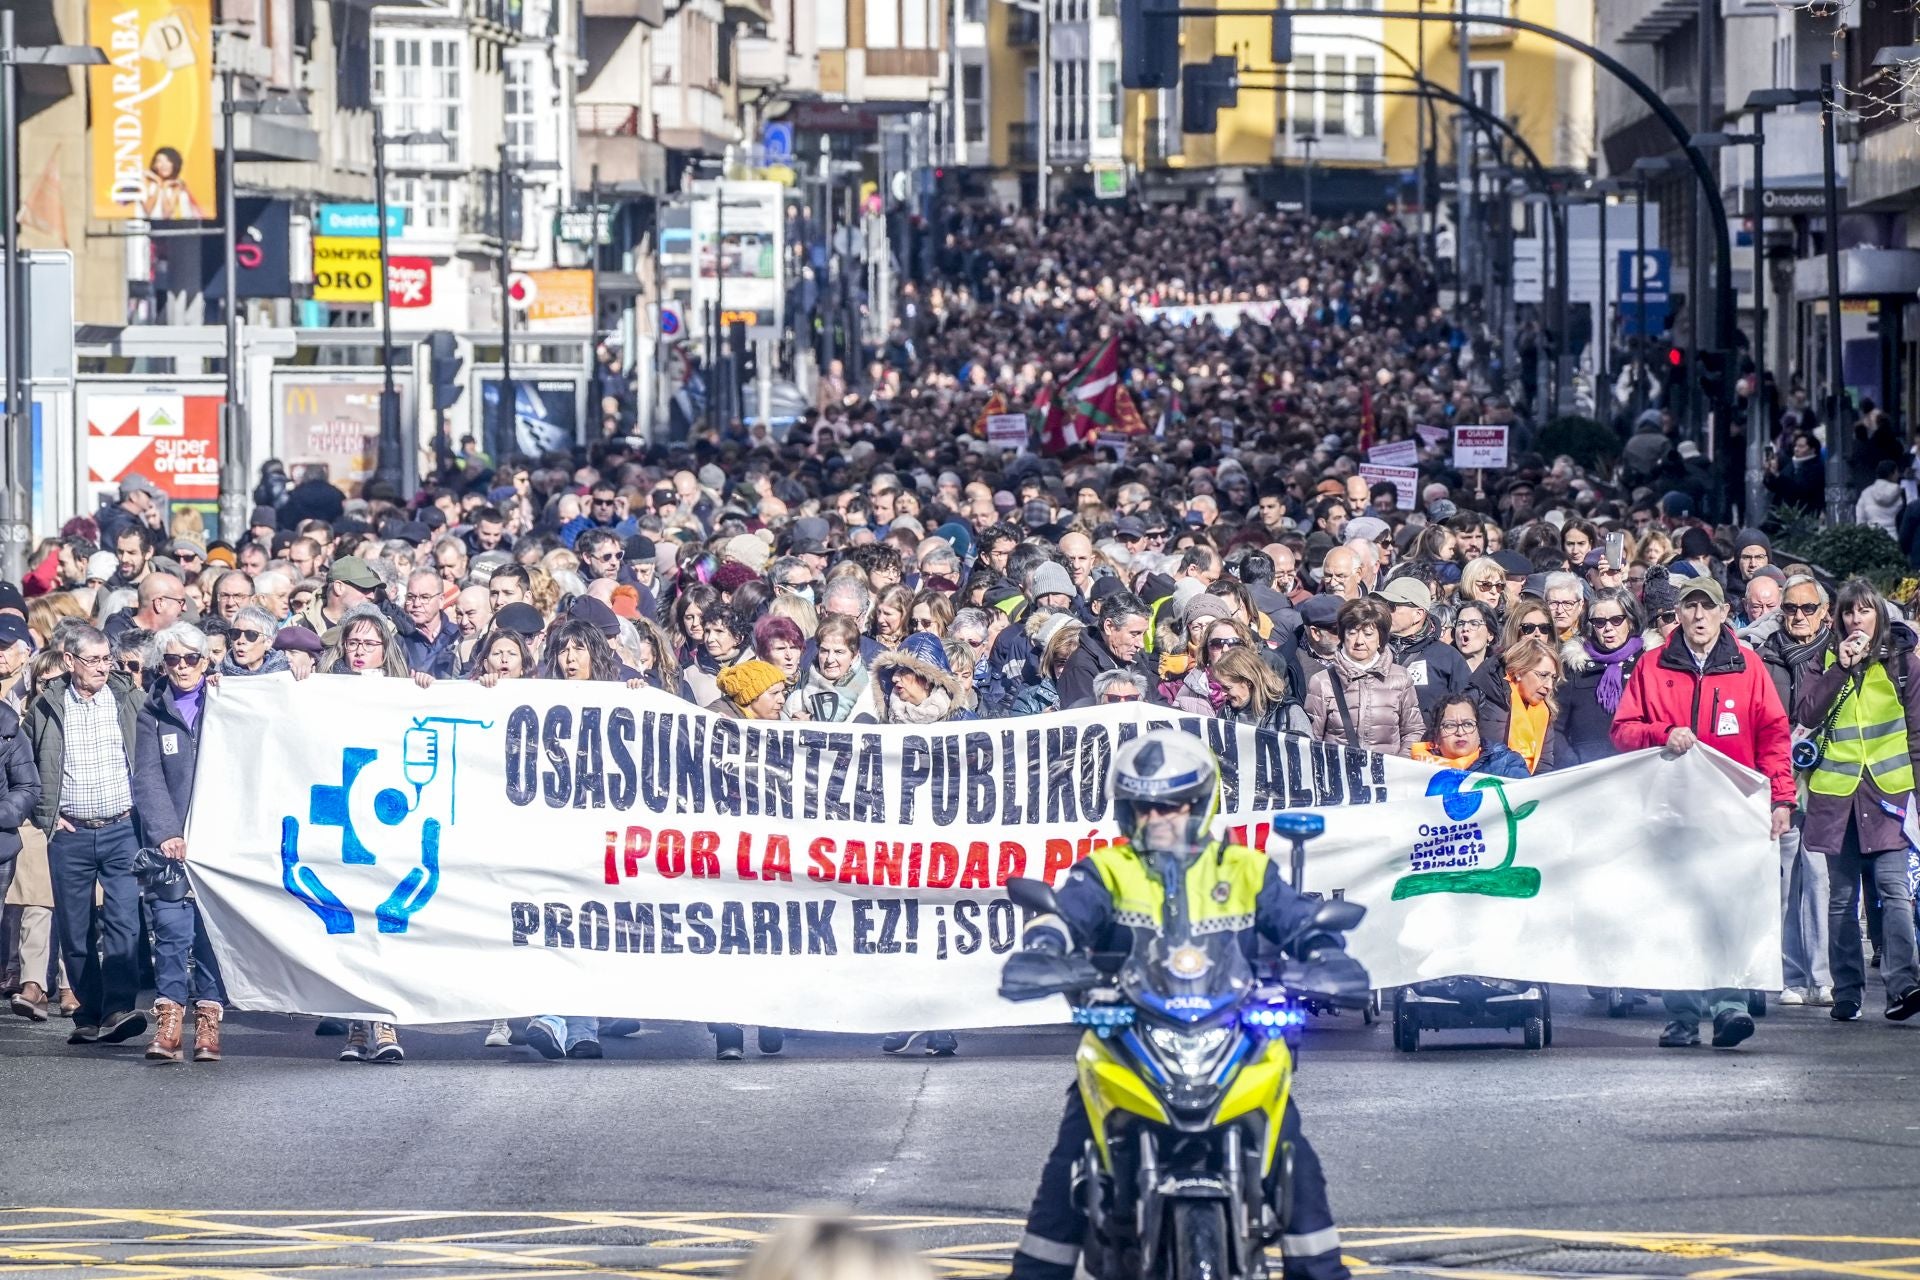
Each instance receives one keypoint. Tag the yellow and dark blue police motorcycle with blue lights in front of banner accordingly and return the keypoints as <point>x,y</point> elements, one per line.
<point>1186,1072</point>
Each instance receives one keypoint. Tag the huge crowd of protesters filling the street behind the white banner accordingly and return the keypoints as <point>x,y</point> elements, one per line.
<point>888,565</point>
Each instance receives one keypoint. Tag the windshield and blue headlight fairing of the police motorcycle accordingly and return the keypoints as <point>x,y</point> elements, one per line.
<point>1186,974</point>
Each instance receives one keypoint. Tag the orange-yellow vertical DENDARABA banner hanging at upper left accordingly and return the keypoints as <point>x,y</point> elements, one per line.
<point>153,110</point>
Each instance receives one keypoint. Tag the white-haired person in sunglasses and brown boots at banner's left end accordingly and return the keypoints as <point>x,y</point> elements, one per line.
<point>168,749</point>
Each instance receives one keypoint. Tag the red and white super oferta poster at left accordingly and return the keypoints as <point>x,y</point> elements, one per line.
<point>168,433</point>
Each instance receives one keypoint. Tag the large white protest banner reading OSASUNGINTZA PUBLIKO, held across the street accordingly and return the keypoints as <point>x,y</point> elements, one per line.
<point>464,853</point>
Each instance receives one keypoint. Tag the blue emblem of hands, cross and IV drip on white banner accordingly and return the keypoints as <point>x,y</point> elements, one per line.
<point>425,746</point>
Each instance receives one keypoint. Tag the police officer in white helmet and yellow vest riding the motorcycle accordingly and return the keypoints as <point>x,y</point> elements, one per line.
<point>1166,795</point>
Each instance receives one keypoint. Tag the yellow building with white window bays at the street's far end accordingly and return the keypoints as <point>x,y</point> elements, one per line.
<point>1328,103</point>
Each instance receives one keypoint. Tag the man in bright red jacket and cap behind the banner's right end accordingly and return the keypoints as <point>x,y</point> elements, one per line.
<point>1708,690</point>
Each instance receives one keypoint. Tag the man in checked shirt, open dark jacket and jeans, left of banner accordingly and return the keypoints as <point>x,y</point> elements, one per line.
<point>82,726</point>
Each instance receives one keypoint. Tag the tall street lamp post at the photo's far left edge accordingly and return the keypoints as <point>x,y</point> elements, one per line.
<point>16,517</point>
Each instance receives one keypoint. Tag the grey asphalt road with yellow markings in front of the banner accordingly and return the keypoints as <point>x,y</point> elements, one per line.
<point>1602,1154</point>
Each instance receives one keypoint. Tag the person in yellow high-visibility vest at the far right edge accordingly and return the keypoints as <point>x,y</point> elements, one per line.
<point>1863,705</point>
